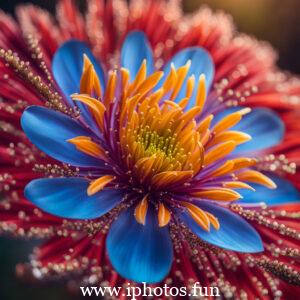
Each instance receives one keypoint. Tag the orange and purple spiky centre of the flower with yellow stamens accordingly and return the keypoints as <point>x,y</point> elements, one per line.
<point>167,150</point>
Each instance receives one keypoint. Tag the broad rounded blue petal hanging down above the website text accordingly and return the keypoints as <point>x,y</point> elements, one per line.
<point>140,253</point>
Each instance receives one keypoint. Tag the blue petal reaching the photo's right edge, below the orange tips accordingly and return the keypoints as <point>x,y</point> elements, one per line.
<point>284,193</point>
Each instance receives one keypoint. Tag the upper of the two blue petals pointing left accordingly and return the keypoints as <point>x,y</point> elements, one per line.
<point>50,130</point>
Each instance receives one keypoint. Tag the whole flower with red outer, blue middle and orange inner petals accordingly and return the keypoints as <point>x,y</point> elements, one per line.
<point>162,158</point>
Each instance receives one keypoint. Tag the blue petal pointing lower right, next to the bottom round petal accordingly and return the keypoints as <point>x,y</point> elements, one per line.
<point>234,234</point>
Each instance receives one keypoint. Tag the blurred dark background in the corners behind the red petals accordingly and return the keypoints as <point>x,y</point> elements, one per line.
<point>272,20</point>
